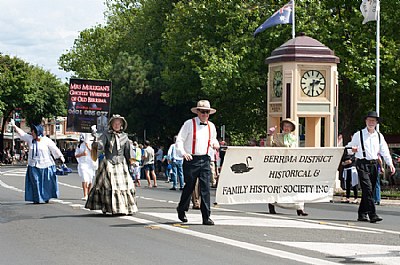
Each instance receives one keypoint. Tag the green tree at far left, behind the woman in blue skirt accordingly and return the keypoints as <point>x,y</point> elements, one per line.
<point>36,92</point>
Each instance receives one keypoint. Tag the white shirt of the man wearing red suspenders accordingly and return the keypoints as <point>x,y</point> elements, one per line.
<point>203,134</point>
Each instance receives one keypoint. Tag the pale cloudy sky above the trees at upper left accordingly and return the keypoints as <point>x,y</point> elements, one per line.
<point>39,31</point>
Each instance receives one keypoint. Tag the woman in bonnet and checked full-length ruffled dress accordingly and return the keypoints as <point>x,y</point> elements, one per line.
<point>113,190</point>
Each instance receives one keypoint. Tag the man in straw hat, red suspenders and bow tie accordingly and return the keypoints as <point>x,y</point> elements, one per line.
<point>195,138</point>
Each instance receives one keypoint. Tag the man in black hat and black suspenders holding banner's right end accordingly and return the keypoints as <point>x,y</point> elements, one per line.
<point>368,144</point>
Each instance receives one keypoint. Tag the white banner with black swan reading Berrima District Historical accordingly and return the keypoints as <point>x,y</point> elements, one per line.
<point>283,175</point>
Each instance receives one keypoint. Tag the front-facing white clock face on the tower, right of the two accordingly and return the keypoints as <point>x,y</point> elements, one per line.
<point>312,83</point>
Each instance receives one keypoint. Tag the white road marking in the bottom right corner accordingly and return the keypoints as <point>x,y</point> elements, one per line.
<point>352,253</point>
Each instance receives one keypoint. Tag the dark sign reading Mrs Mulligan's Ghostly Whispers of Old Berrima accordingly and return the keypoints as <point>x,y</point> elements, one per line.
<point>88,104</point>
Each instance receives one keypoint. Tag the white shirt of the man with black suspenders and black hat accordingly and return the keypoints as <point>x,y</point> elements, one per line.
<point>371,146</point>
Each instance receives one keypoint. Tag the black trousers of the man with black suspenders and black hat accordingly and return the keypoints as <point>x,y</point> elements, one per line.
<point>367,174</point>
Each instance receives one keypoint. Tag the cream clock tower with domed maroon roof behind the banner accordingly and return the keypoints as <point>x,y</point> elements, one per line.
<point>303,86</point>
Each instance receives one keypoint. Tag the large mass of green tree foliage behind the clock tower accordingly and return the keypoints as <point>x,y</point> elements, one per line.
<point>163,56</point>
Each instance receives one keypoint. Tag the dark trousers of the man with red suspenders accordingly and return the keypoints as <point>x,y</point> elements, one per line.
<point>198,168</point>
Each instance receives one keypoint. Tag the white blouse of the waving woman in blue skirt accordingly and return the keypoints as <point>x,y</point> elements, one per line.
<point>39,155</point>
